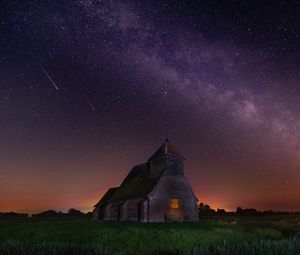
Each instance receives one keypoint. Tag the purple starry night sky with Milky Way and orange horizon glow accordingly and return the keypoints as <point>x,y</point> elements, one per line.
<point>90,88</point>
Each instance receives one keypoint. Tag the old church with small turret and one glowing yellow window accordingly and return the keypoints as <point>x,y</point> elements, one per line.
<point>155,191</point>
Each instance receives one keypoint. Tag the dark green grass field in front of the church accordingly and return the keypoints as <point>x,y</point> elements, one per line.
<point>95,237</point>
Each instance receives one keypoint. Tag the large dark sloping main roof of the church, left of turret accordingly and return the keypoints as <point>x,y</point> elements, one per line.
<point>137,184</point>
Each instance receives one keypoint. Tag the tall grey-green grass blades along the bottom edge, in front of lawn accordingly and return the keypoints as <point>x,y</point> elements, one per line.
<point>262,247</point>
